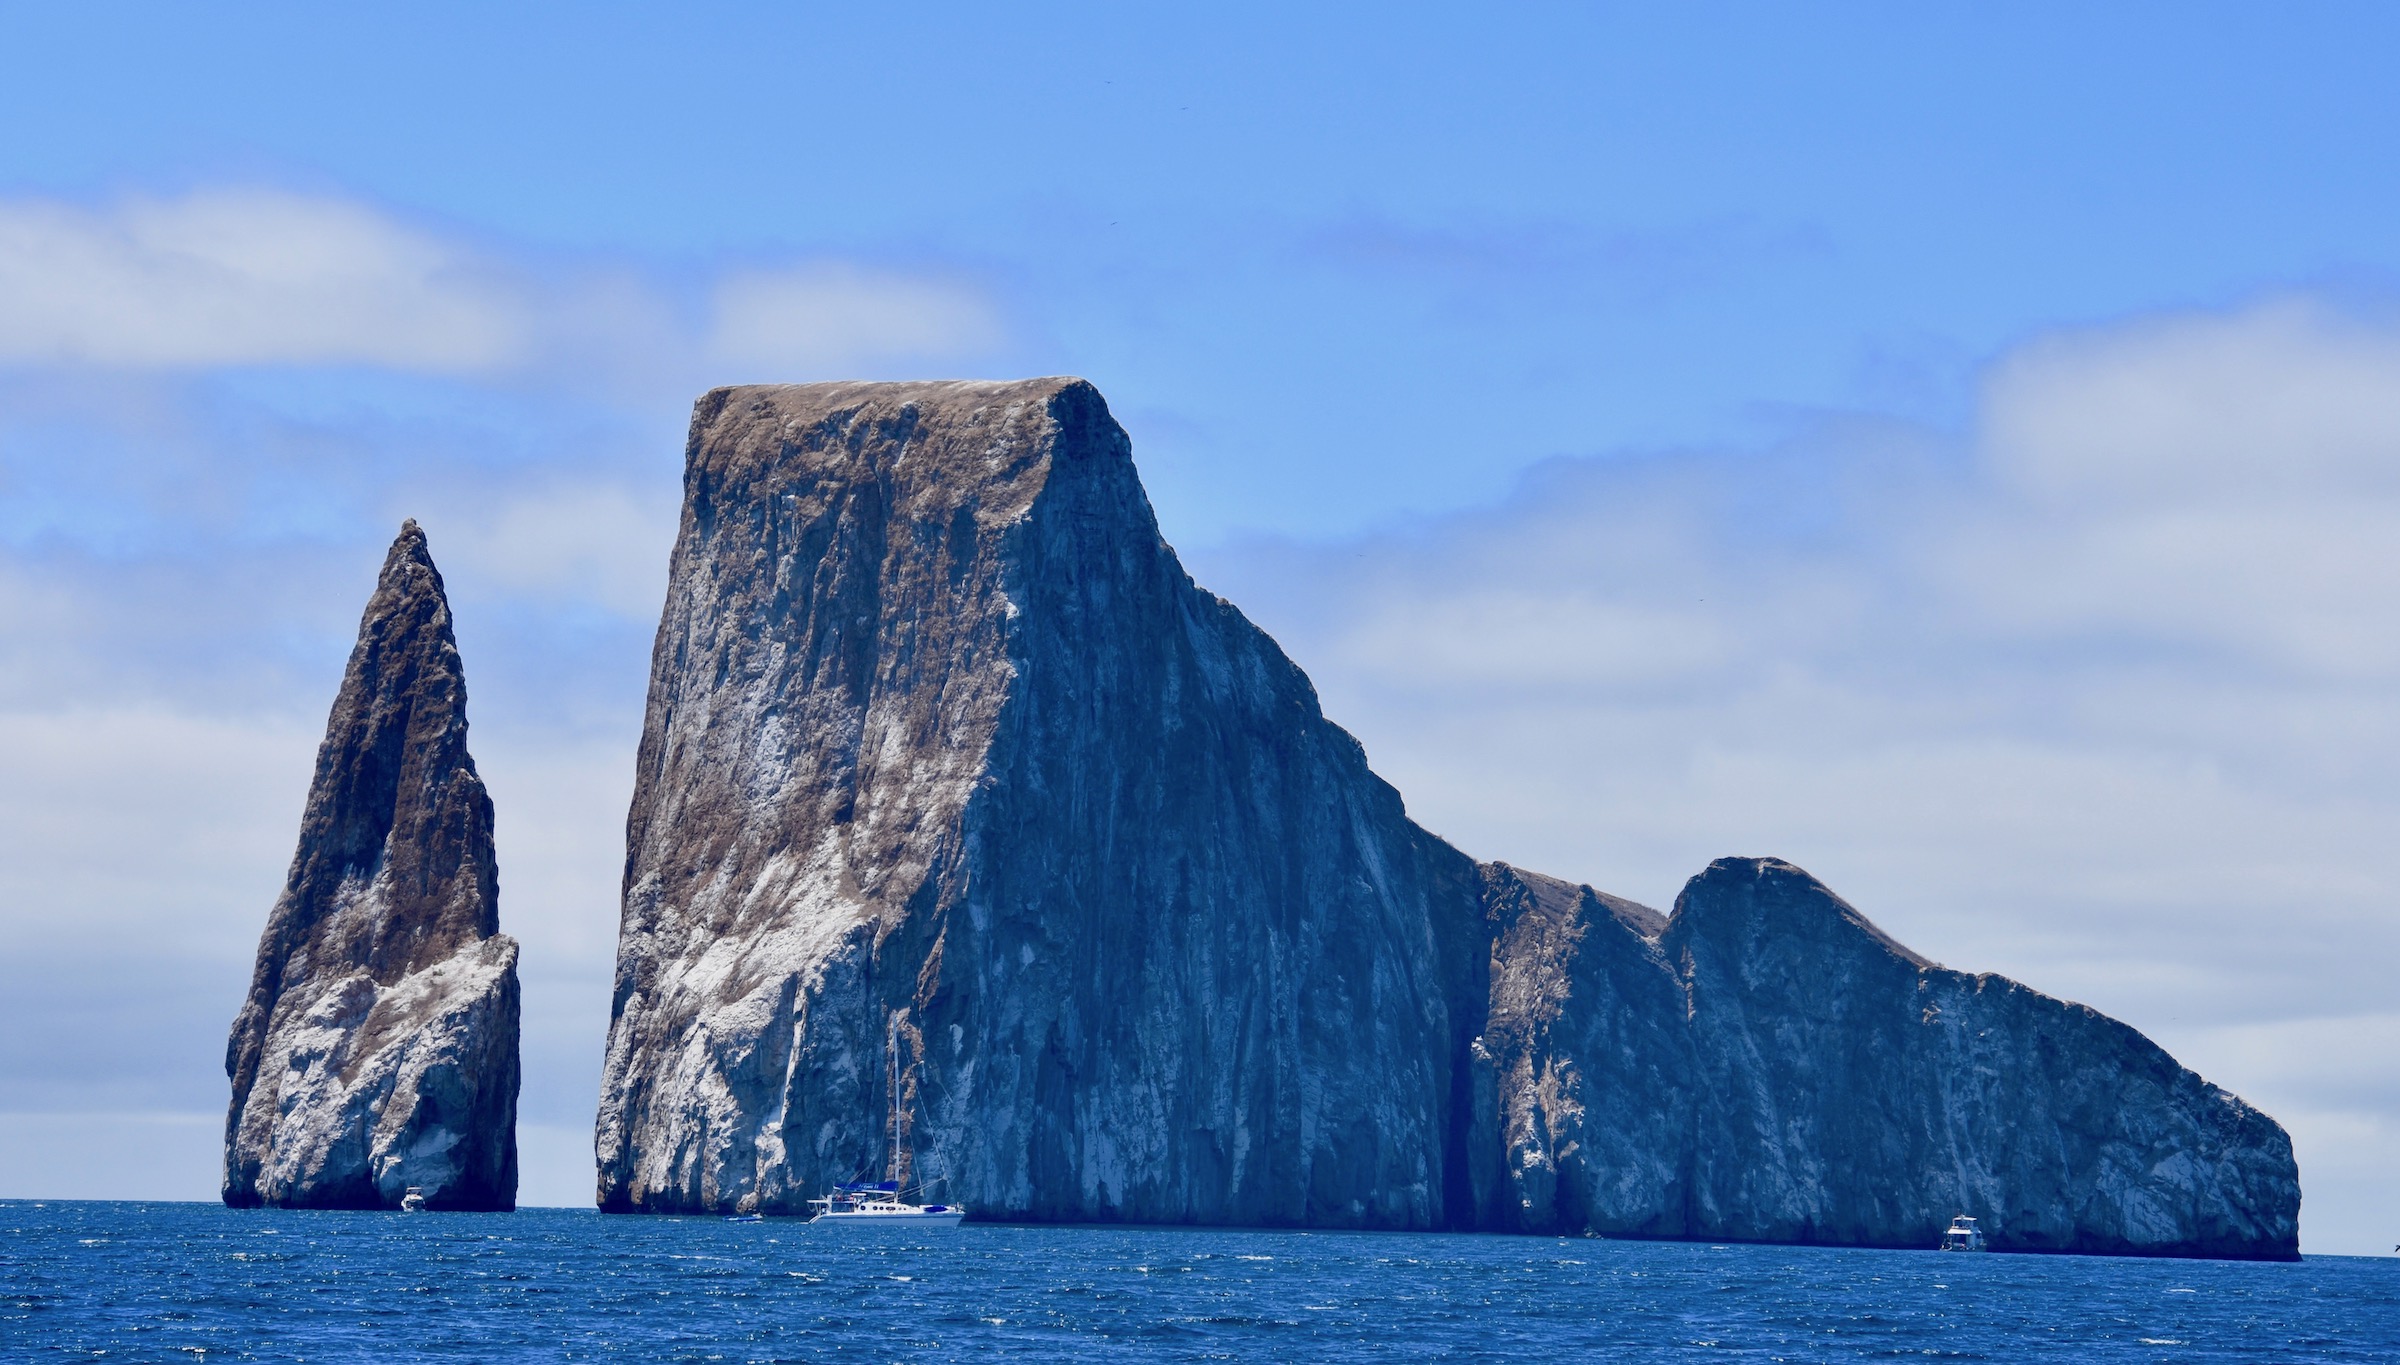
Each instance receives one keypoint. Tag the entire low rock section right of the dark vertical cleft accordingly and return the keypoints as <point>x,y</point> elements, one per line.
<point>1770,1066</point>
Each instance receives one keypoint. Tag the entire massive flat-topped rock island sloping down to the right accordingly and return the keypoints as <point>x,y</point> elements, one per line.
<point>952,774</point>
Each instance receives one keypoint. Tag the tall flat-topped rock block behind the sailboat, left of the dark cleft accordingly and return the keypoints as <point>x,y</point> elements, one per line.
<point>947,752</point>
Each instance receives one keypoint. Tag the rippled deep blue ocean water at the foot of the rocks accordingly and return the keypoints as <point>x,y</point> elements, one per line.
<point>198,1282</point>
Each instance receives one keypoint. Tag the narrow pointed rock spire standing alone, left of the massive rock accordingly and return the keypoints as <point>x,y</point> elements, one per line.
<point>378,1045</point>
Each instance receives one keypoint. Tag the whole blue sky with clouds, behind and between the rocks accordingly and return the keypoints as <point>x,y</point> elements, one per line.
<point>1945,445</point>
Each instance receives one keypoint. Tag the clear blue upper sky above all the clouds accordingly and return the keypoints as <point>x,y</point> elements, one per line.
<point>1640,227</point>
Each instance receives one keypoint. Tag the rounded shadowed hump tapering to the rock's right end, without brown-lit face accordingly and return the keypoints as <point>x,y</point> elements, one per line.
<point>1856,1093</point>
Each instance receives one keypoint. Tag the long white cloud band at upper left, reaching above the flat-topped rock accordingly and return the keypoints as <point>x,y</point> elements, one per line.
<point>260,277</point>
